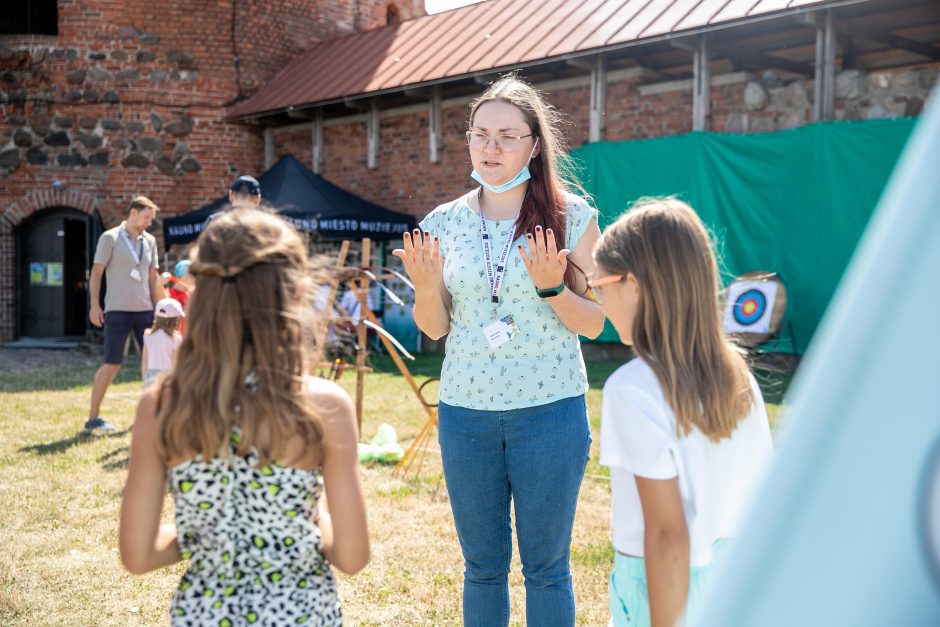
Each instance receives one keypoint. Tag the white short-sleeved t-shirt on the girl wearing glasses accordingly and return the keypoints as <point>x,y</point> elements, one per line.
<point>716,479</point>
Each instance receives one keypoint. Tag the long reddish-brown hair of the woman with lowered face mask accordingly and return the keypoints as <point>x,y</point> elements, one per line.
<point>551,169</point>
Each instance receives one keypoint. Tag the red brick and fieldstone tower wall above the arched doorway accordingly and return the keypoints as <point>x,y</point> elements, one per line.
<point>130,98</point>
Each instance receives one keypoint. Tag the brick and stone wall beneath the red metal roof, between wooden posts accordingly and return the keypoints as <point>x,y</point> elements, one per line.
<point>636,108</point>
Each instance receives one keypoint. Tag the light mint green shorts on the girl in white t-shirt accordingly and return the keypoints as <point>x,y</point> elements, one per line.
<point>629,598</point>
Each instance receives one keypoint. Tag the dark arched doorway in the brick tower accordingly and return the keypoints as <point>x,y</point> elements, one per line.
<point>55,247</point>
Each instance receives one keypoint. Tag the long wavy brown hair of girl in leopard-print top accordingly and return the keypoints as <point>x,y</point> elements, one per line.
<point>243,357</point>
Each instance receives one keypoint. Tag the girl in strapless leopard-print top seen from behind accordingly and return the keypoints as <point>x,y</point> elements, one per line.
<point>248,444</point>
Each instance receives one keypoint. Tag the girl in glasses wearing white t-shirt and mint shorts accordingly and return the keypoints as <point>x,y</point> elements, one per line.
<point>684,429</point>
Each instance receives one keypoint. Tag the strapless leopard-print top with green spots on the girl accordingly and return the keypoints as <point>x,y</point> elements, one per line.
<point>255,554</point>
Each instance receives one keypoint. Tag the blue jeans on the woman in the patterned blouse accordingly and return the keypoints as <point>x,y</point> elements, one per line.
<point>534,457</point>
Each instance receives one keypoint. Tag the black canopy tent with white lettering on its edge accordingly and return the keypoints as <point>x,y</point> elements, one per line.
<point>309,202</point>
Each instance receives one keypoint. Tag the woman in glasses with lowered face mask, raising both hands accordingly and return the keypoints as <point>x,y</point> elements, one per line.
<point>501,271</point>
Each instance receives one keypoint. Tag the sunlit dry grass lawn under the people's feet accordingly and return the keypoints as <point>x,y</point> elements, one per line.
<point>60,492</point>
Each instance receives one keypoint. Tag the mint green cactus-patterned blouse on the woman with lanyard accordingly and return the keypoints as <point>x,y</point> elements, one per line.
<point>543,363</point>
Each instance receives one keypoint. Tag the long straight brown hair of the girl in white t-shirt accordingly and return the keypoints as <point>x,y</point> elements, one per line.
<point>677,329</point>
